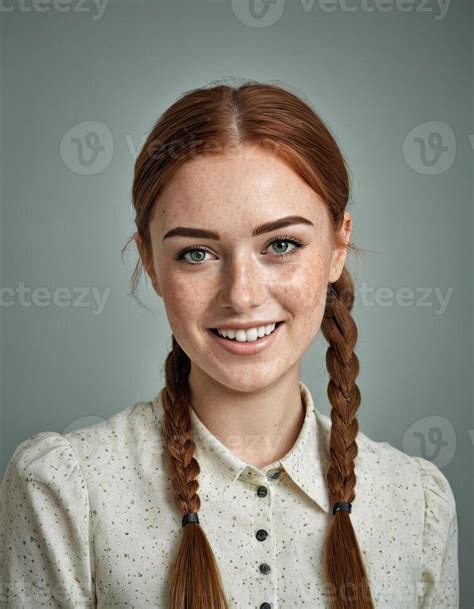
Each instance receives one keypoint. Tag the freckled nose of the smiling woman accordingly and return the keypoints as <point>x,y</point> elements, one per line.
<point>242,285</point>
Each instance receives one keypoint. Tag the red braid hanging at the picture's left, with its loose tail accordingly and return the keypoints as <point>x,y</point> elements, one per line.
<point>195,580</point>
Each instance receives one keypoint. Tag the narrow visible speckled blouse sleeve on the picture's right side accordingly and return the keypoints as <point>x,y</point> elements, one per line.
<point>439,585</point>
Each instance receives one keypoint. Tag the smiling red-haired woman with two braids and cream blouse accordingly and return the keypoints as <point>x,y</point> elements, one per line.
<point>230,489</point>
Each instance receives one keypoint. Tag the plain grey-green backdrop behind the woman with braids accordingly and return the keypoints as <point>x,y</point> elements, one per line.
<point>373,75</point>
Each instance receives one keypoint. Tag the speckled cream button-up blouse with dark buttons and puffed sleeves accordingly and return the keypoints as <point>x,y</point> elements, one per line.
<point>88,519</point>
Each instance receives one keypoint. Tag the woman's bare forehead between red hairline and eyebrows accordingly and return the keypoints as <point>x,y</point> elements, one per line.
<point>233,192</point>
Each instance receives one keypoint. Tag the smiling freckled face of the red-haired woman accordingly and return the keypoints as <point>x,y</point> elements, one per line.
<point>235,276</point>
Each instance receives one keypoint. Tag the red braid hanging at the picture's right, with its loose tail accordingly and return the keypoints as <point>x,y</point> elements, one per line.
<point>343,561</point>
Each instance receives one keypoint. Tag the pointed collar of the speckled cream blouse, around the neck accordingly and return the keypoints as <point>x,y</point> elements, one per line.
<point>305,463</point>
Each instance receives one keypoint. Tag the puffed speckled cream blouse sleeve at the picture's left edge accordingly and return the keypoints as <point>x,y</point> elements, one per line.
<point>45,558</point>
